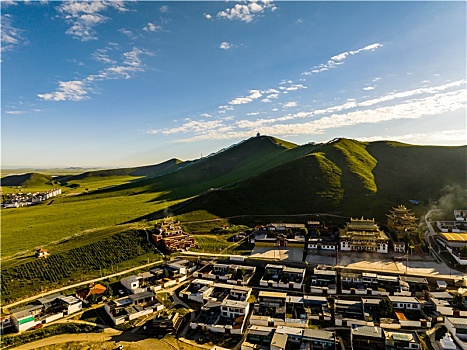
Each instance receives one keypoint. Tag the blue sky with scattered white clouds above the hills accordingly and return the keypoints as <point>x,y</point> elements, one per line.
<point>119,83</point>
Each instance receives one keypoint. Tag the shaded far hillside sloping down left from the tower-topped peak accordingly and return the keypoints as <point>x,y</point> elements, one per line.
<point>249,158</point>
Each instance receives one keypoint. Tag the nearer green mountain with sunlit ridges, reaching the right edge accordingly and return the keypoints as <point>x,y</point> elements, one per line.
<point>344,177</point>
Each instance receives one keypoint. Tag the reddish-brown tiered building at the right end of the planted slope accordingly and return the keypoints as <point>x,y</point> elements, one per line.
<point>169,236</point>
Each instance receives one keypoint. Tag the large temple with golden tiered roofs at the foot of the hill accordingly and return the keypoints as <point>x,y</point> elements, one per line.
<point>363,235</point>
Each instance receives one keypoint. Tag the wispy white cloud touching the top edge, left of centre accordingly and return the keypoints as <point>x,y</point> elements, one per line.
<point>85,15</point>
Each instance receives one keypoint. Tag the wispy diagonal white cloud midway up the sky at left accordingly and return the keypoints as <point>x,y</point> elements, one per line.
<point>77,90</point>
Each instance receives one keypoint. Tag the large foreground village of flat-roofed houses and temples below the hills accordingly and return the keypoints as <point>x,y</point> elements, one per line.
<point>269,301</point>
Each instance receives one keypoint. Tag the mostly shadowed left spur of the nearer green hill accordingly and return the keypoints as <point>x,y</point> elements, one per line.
<point>304,185</point>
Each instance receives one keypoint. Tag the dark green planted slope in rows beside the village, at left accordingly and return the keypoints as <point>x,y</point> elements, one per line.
<point>85,262</point>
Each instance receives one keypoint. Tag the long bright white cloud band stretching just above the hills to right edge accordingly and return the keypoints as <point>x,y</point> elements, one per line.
<point>333,117</point>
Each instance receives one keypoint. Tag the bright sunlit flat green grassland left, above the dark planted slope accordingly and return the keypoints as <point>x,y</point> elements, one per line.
<point>26,228</point>
